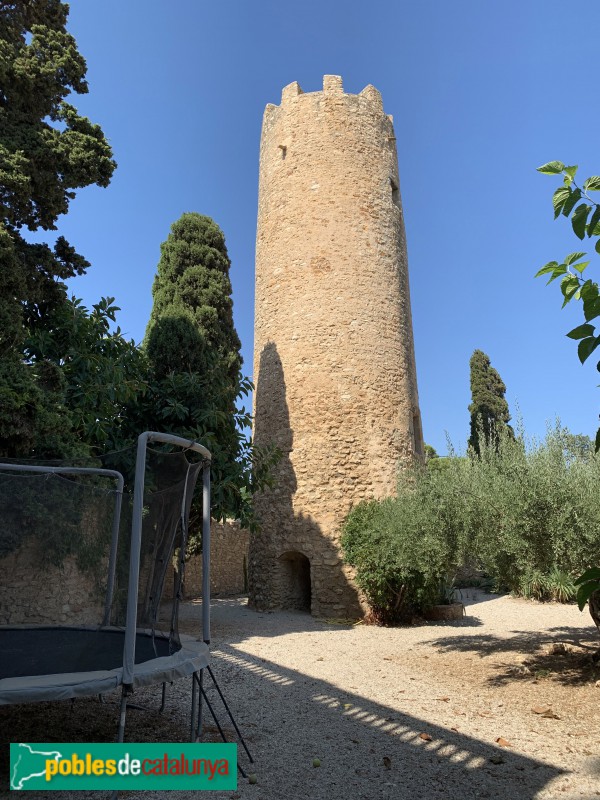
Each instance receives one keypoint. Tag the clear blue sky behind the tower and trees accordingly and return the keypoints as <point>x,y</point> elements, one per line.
<point>481,93</point>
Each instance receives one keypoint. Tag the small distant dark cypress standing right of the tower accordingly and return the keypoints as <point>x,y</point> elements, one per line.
<point>488,408</point>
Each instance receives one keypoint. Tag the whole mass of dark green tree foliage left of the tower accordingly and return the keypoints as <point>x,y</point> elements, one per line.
<point>70,383</point>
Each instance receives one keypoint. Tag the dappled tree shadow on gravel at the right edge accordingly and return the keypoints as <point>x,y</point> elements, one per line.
<point>562,654</point>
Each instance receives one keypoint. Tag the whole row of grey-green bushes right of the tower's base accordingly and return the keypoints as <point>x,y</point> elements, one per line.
<point>527,514</point>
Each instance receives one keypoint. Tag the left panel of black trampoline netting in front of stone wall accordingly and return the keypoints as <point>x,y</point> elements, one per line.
<point>55,539</point>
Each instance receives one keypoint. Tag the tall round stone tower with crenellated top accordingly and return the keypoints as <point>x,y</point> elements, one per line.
<point>334,362</point>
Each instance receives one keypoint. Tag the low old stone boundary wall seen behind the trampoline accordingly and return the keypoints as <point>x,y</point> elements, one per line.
<point>32,592</point>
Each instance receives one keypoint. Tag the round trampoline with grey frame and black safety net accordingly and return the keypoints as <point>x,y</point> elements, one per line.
<point>91,616</point>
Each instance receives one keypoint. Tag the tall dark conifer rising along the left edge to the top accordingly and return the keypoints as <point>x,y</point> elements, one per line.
<point>46,152</point>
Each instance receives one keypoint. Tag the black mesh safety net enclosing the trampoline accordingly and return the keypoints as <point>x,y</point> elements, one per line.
<point>65,540</point>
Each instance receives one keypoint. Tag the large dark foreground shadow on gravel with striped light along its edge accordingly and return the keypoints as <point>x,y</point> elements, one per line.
<point>375,751</point>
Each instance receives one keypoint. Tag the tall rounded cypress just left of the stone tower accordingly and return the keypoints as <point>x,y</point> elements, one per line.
<point>193,351</point>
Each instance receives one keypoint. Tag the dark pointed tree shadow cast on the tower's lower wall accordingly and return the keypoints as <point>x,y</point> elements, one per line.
<point>292,563</point>
